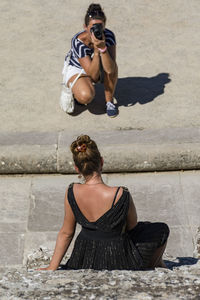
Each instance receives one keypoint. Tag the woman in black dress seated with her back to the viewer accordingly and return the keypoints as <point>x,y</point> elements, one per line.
<point>111,237</point>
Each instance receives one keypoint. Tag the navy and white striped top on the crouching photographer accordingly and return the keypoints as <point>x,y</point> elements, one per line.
<point>79,49</point>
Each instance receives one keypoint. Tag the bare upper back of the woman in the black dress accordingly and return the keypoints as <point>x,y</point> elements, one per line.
<point>95,200</point>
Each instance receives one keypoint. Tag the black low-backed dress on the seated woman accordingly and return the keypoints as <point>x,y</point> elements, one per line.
<point>104,244</point>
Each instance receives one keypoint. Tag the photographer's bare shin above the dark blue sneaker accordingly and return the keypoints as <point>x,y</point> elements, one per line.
<point>110,81</point>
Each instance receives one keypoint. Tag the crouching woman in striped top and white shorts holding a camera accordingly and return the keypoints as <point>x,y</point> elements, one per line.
<point>93,53</point>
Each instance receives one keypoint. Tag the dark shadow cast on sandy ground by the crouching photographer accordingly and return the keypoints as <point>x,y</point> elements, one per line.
<point>129,91</point>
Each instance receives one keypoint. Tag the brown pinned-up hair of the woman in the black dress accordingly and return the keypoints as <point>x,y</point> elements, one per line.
<point>86,155</point>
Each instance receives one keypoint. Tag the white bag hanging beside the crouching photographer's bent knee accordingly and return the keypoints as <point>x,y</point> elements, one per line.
<point>67,100</point>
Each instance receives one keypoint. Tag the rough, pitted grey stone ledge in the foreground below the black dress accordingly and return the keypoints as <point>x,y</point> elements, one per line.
<point>181,283</point>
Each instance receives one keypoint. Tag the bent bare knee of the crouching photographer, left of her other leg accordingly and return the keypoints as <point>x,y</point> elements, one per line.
<point>83,89</point>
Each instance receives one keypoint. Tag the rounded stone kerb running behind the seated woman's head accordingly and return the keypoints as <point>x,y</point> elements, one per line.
<point>123,151</point>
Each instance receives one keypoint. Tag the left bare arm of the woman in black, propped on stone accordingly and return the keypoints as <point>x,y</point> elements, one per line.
<point>64,237</point>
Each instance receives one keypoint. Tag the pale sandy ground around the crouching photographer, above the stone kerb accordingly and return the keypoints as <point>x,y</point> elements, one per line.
<point>157,55</point>
